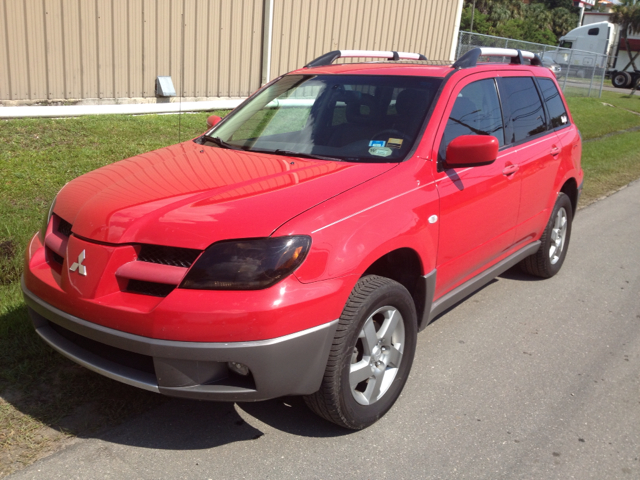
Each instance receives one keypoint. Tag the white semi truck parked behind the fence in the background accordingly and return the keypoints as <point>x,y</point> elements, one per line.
<point>602,38</point>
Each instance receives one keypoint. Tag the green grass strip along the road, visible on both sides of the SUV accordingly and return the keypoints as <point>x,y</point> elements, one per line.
<point>42,393</point>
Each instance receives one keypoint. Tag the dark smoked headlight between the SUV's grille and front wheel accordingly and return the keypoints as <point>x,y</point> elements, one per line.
<point>250,264</point>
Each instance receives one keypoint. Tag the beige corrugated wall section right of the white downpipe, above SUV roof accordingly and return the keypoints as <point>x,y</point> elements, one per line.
<point>305,29</point>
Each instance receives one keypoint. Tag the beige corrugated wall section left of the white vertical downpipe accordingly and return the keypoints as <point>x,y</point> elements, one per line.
<point>105,49</point>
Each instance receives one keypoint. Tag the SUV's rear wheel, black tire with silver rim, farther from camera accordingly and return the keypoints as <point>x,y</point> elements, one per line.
<point>548,260</point>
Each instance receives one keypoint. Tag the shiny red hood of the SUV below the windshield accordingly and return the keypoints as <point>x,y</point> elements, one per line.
<point>190,196</point>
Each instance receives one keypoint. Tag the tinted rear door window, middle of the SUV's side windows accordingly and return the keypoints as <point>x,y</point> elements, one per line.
<point>526,112</point>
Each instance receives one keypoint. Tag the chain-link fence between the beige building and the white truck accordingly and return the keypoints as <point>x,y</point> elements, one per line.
<point>579,73</point>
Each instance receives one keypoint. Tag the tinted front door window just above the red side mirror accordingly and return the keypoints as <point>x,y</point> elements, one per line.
<point>475,112</point>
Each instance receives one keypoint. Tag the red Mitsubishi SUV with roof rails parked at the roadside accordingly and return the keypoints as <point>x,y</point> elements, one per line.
<point>299,245</point>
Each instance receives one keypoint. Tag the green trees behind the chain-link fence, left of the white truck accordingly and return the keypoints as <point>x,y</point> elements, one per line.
<point>541,21</point>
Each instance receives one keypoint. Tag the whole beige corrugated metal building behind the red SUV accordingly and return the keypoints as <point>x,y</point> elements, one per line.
<point>108,51</point>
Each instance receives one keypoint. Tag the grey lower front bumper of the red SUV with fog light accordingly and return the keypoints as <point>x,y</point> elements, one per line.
<point>289,365</point>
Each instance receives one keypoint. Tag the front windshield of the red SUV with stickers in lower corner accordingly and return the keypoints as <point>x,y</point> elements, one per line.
<point>354,118</point>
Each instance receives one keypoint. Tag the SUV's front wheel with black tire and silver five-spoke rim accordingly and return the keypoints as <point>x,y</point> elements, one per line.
<point>371,355</point>
